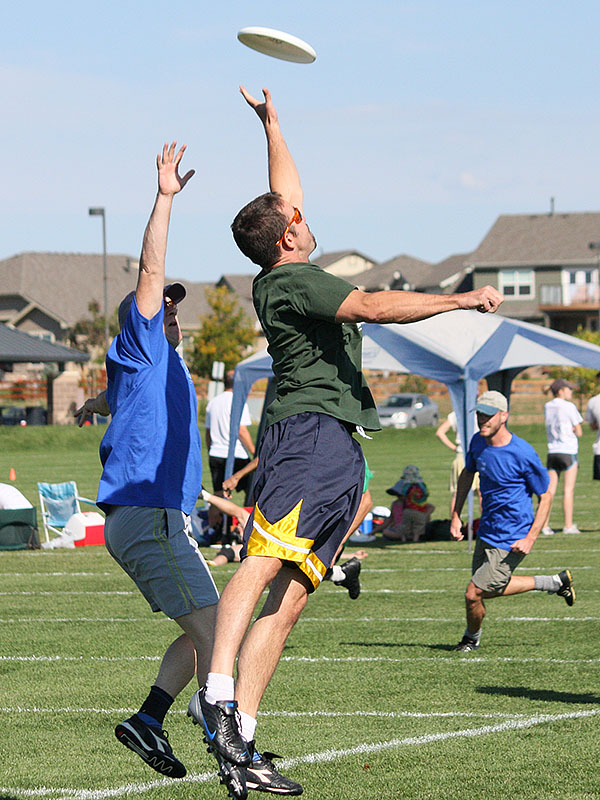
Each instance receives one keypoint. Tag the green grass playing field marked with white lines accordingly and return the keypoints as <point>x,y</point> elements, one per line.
<point>369,700</point>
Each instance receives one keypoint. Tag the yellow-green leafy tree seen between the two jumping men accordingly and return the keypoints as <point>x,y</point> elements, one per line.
<point>225,335</point>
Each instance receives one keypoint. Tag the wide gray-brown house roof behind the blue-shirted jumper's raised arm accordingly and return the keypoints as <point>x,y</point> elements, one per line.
<point>65,283</point>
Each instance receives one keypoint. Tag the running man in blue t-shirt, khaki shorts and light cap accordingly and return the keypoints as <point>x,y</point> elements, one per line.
<point>510,472</point>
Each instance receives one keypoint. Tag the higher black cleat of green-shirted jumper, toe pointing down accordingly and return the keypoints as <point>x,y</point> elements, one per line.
<point>221,730</point>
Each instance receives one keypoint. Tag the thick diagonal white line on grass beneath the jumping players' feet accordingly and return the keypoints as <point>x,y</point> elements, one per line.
<point>310,758</point>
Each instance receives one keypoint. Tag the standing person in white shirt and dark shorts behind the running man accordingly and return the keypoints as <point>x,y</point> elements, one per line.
<point>563,429</point>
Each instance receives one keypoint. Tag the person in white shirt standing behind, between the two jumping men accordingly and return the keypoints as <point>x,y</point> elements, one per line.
<point>218,422</point>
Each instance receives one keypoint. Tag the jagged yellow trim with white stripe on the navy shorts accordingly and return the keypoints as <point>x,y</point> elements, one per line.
<point>279,540</point>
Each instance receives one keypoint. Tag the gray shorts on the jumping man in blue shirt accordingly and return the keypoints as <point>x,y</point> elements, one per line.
<point>154,547</point>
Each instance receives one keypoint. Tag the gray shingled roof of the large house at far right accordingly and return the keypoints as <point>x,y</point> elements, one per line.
<point>539,239</point>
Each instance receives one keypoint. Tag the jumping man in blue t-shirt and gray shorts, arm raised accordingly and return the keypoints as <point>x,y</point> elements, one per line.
<point>152,476</point>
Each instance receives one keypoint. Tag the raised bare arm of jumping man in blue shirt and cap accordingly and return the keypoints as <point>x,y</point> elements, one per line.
<point>151,277</point>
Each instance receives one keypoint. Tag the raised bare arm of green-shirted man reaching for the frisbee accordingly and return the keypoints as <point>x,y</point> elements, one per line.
<point>283,175</point>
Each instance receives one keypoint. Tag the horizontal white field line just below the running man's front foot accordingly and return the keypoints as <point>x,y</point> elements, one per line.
<point>456,659</point>
